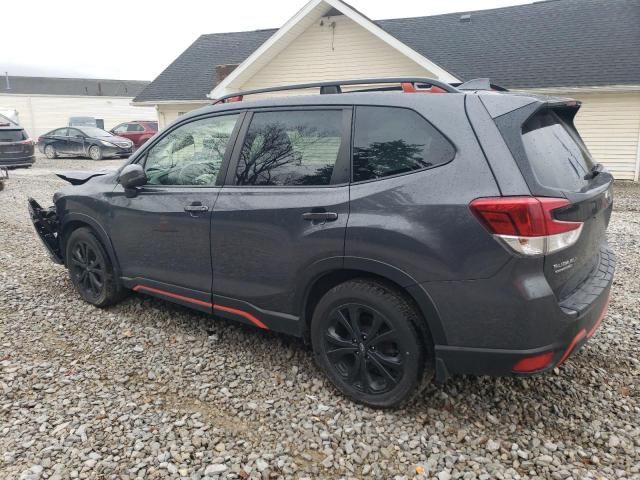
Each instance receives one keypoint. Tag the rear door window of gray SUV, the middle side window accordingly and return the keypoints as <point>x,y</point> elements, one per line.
<point>290,148</point>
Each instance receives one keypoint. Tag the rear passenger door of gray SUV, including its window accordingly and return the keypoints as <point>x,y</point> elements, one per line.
<point>287,210</point>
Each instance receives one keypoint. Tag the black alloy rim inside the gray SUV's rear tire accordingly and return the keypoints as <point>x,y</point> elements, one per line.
<point>364,348</point>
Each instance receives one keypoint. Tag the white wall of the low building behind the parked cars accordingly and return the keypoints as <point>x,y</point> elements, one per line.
<point>42,113</point>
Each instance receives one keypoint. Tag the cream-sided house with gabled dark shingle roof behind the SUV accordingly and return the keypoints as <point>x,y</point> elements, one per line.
<point>585,49</point>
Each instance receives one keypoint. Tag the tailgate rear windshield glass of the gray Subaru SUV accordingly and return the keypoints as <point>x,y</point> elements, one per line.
<point>555,151</point>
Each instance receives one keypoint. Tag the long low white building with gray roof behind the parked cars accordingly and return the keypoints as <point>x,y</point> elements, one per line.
<point>45,103</point>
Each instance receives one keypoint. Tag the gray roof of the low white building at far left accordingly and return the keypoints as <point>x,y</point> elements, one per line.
<point>72,86</point>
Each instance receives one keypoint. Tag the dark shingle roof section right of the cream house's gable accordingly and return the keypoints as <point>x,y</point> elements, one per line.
<point>546,44</point>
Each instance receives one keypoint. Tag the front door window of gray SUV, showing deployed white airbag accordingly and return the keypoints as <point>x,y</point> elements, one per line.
<point>192,154</point>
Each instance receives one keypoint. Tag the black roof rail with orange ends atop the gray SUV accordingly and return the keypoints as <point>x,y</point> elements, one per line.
<point>334,86</point>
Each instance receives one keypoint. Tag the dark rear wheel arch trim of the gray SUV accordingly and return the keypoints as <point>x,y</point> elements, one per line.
<point>321,281</point>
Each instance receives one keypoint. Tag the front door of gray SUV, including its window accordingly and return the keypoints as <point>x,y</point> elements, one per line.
<point>162,233</point>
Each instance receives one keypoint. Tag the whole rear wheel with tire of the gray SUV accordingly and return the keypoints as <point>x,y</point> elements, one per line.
<point>389,348</point>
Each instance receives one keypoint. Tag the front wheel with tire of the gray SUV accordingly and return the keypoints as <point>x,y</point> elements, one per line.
<point>91,270</point>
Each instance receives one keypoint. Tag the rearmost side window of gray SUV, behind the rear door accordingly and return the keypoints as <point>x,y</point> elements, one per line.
<point>391,141</point>
